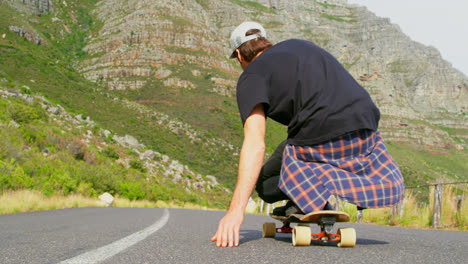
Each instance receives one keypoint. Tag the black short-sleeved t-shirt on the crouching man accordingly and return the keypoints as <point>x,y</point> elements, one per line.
<point>305,88</point>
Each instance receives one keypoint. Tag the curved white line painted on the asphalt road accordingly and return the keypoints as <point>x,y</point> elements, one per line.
<point>102,253</point>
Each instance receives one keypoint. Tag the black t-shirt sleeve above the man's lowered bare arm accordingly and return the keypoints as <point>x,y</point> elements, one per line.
<point>252,89</point>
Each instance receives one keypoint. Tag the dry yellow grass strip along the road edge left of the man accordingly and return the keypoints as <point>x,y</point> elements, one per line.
<point>29,201</point>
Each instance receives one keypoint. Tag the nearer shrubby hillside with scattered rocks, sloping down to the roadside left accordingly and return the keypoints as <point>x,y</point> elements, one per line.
<point>45,148</point>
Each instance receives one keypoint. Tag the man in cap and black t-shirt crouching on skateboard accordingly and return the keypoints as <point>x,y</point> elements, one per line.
<point>333,145</point>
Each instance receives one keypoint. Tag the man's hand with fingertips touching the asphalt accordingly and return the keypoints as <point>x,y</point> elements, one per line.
<point>228,230</point>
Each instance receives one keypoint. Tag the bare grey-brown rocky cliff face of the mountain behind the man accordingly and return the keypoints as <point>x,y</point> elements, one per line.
<point>142,40</point>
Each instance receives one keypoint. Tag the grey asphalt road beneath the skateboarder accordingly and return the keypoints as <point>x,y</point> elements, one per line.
<point>135,235</point>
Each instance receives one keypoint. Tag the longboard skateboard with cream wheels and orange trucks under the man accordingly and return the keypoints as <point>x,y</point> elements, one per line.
<point>301,233</point>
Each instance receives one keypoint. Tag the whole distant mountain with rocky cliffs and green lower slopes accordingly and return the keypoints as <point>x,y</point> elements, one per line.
<point>158,71</point>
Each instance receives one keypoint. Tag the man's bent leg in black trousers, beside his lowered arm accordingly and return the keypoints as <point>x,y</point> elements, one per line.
<point>267,184</point>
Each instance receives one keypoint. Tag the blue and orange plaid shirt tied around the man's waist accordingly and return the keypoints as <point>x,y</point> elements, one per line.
<point>356,167</point>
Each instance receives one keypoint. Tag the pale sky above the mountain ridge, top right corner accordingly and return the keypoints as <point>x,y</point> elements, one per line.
<point>442,24</point>
